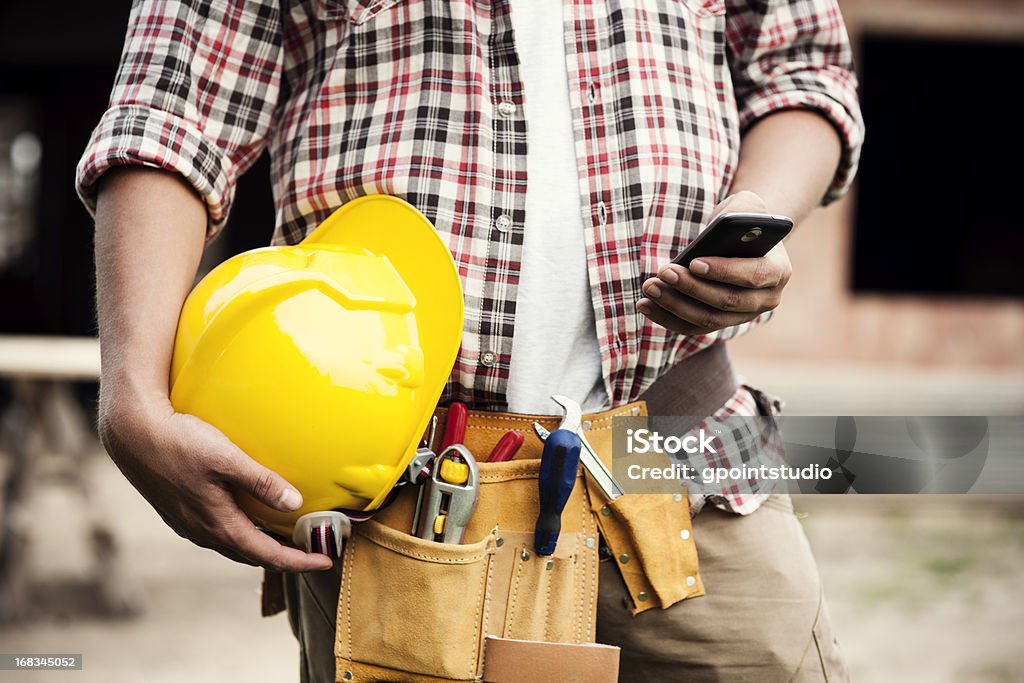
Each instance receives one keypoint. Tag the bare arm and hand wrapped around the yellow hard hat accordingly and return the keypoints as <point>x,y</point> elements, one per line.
<point>151,228</point>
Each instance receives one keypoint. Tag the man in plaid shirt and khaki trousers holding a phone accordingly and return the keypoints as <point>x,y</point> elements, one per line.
<point>567,152</point>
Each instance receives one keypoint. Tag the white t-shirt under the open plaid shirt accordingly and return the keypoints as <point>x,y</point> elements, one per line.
<point>554,347</point>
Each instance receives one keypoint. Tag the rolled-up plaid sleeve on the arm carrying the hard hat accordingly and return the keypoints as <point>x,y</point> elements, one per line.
<point>195,94</point>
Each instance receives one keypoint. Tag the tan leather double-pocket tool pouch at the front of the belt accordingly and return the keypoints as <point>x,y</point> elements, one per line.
<point>412,610</point>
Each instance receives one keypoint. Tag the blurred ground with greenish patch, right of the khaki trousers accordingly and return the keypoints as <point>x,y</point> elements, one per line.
<point>925,589</point>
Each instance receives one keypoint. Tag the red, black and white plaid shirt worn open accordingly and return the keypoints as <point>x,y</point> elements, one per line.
<point>423,100</point>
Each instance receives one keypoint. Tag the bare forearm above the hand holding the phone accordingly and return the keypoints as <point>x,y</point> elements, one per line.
<point>789,160</point>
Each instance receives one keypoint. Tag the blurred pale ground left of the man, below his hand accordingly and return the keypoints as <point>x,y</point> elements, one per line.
<point>200,614</point>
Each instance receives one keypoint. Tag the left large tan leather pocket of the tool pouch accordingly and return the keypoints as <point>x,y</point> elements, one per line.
<point>410,609</point>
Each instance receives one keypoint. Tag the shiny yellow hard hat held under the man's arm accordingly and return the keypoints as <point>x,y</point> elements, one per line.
<point>324,361</point>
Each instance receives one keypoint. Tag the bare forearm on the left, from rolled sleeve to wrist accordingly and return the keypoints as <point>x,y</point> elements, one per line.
<point>151,230</point>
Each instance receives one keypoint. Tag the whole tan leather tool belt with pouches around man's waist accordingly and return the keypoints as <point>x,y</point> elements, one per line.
<point>412,610</point>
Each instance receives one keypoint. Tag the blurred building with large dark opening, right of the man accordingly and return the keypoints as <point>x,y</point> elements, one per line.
<point>908,294</point>
